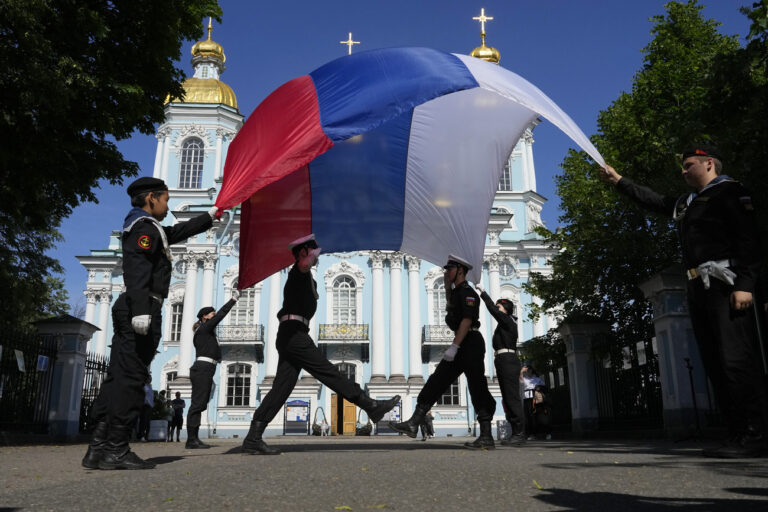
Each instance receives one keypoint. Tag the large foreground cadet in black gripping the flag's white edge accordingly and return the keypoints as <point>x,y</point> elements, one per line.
<point>721,251</point>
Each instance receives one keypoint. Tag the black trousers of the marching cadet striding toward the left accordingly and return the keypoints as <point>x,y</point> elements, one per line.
<point>469,360</point>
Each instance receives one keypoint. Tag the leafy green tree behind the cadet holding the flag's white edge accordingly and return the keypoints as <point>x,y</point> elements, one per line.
<point>695,84</point>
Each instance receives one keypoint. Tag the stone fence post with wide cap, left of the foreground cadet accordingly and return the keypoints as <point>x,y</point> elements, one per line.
<point>72,335</point>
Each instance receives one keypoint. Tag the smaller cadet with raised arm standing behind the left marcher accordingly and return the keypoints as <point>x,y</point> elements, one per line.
<point>207,356</point>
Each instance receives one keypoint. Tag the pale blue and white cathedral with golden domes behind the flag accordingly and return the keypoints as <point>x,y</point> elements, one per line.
<point>380,313</point>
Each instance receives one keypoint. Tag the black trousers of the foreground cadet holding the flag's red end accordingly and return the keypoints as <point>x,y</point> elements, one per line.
<point>122,394</point>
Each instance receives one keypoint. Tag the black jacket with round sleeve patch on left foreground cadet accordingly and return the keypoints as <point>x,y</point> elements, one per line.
<point>146,267</point>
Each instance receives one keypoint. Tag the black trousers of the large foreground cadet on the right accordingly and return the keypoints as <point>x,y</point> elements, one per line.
<point>727,341</point>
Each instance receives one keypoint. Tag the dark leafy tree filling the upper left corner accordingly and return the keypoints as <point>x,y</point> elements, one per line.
<point>77,75</point>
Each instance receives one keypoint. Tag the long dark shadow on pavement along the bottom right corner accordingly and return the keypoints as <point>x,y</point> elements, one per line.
<point>590,501</point>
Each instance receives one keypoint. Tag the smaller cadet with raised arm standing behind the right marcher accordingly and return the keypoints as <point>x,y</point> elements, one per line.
<point>507,365</point>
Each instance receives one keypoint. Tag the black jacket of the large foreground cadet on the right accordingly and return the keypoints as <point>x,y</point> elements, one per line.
<point>718,224</point>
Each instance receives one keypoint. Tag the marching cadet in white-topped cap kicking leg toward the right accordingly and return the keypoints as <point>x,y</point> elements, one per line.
<point>297,351</point>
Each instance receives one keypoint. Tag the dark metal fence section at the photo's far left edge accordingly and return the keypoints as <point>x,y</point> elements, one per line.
<point>26,373</point>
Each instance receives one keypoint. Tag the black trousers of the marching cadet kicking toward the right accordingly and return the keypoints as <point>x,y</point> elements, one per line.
<point>298,352</point>
